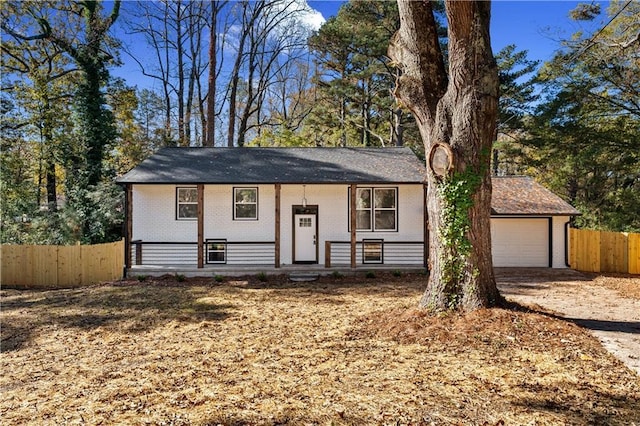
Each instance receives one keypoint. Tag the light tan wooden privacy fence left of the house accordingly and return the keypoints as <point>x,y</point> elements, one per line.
<point>60,266</point>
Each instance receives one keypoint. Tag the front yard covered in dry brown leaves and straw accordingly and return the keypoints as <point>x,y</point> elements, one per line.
<point>337,351</point>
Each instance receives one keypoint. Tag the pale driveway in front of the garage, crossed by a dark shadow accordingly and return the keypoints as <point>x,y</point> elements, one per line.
<point>607,305</point>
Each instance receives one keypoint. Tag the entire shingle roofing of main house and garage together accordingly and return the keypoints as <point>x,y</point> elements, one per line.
<point>513,195</point>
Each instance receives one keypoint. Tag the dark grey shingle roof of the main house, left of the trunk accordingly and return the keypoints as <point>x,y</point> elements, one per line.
<point>278,165</point>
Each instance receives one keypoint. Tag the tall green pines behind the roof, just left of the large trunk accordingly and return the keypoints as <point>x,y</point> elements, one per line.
<point>354,105</point>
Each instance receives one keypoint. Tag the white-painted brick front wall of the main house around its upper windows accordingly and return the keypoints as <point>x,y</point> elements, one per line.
<point>154,215</point>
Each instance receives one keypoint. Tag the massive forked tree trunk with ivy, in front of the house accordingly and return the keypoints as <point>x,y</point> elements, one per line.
<point>455,110</point>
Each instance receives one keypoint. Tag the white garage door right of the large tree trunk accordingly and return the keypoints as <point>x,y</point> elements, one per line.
<point>520,242</point>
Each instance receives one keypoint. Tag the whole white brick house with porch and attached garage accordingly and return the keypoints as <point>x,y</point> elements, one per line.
<point>218,210</point>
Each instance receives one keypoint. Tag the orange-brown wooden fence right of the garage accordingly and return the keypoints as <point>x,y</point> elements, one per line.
<point>600,251</point>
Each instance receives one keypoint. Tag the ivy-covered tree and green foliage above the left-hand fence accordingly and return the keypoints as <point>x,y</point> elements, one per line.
<point>54,64</point>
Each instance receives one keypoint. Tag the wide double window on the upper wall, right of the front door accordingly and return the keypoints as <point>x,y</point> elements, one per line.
<point>376,209</point>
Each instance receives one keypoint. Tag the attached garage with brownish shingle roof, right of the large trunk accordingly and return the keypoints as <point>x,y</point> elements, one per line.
<point>529,224</point>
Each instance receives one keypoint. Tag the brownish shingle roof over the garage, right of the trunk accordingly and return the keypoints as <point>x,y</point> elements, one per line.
<point>520,195</point>
